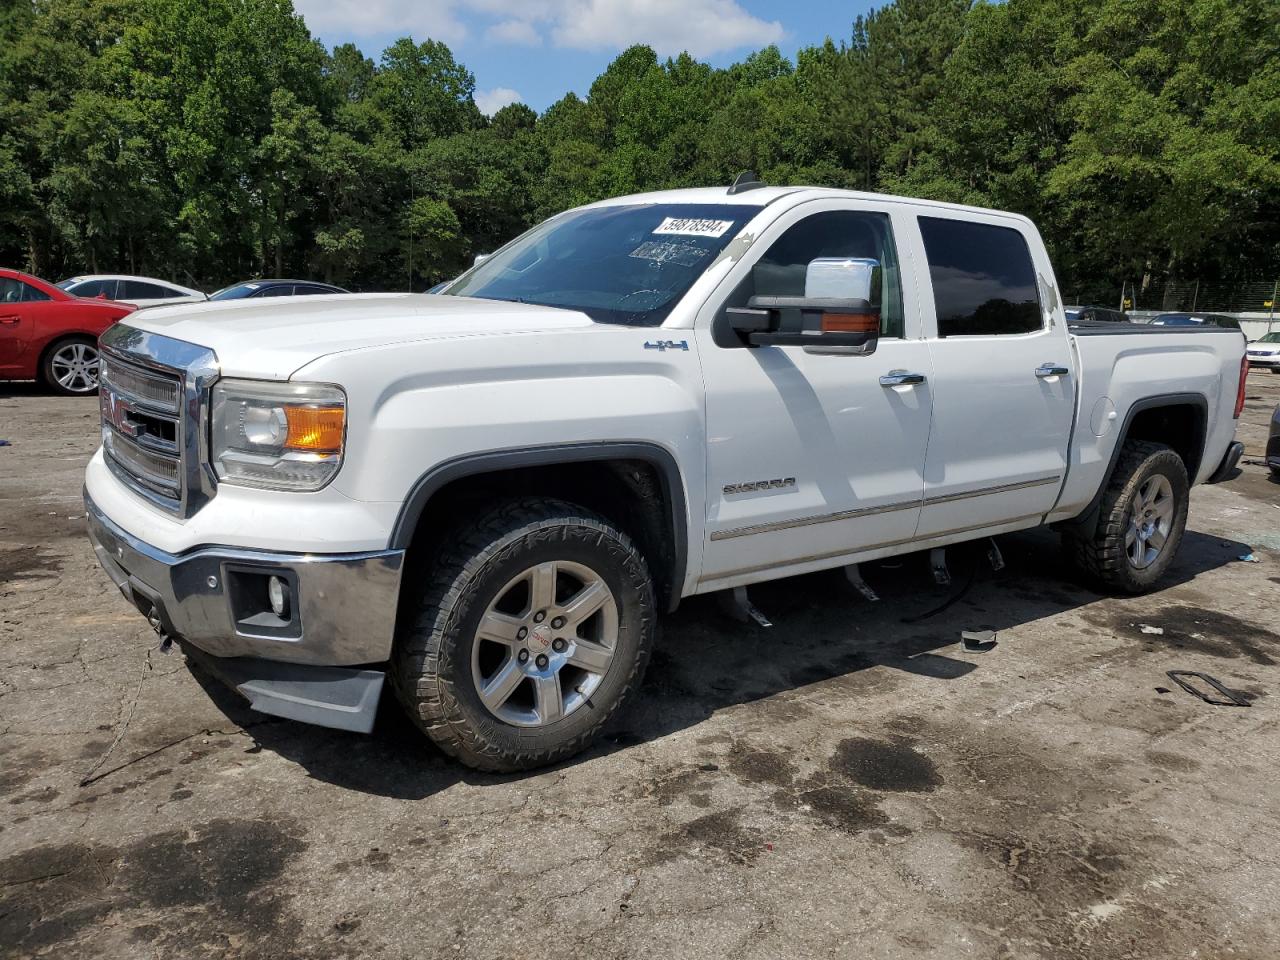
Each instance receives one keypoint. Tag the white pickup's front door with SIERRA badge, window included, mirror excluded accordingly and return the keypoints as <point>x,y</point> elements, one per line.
<point>812,456</point>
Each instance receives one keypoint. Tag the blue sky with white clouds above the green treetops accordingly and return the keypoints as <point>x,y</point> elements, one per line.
<point>537,51</point>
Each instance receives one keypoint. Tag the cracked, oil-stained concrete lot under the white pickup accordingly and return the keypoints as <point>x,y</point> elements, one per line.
<point>847,784</point>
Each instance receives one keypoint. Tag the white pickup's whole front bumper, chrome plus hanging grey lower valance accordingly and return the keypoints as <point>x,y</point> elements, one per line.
<point>341,615</point>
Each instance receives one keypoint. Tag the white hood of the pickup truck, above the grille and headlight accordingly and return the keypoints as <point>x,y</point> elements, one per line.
<point>272,339</point>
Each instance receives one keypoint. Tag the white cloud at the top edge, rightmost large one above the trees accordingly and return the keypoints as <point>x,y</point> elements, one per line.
<point>702,28</point>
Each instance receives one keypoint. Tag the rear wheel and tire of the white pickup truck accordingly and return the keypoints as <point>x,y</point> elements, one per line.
<point>1141,520</point>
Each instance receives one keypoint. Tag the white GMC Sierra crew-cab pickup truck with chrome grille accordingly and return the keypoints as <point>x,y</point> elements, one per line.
<point>490,496</point>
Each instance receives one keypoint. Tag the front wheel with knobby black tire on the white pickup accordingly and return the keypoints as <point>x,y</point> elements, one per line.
<point>534,627</point>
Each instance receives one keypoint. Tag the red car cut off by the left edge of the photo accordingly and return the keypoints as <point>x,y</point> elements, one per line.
<point>48,335</point>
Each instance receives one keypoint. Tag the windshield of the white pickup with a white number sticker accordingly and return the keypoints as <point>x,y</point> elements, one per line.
<point>616,264</point>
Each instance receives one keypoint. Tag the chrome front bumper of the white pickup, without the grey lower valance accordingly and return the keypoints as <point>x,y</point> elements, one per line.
<point>342,606</point>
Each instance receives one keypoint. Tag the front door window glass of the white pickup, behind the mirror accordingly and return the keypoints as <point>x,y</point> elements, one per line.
<point>842,235</point>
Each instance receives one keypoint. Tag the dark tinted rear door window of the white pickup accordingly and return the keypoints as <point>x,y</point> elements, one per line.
<point>984,278</point>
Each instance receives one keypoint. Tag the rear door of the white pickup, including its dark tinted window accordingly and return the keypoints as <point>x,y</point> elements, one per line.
<point>1004,392</point>
